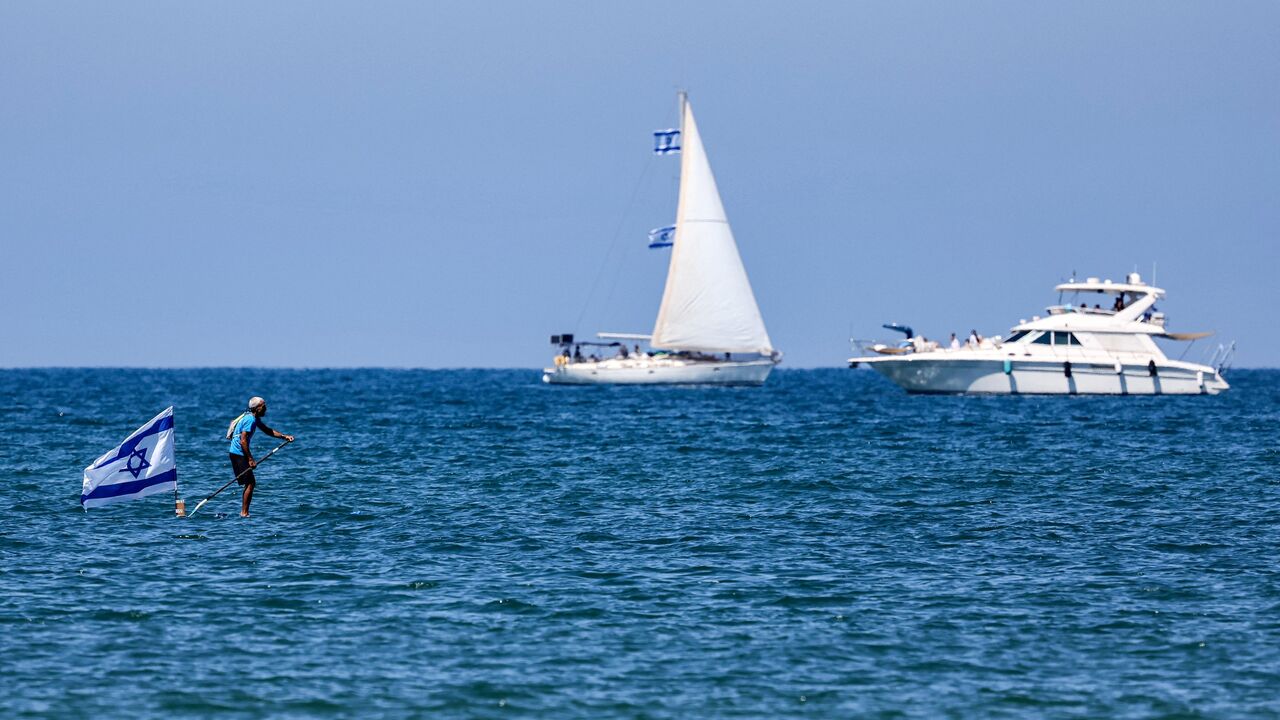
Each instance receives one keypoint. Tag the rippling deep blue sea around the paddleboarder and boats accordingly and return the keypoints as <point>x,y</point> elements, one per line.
<point>476,544</point>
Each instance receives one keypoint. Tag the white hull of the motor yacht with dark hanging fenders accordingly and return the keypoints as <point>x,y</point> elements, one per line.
<point>926,375</point>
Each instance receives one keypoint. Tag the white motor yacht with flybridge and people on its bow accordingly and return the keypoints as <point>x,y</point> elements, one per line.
<point>1105,349</point>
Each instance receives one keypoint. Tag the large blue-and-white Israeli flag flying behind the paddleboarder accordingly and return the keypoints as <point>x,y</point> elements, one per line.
<point>139,467</point>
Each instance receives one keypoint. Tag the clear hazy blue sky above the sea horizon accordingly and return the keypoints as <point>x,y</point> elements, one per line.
<point>444,185</point>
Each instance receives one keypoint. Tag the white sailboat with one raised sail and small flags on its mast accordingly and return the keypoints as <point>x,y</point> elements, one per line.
<point>710,330</point>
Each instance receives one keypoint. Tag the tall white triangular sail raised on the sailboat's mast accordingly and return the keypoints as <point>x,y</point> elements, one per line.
<point>708,304</point>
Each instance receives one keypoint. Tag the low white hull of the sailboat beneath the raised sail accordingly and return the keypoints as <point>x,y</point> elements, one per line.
<point>661,371</point>
